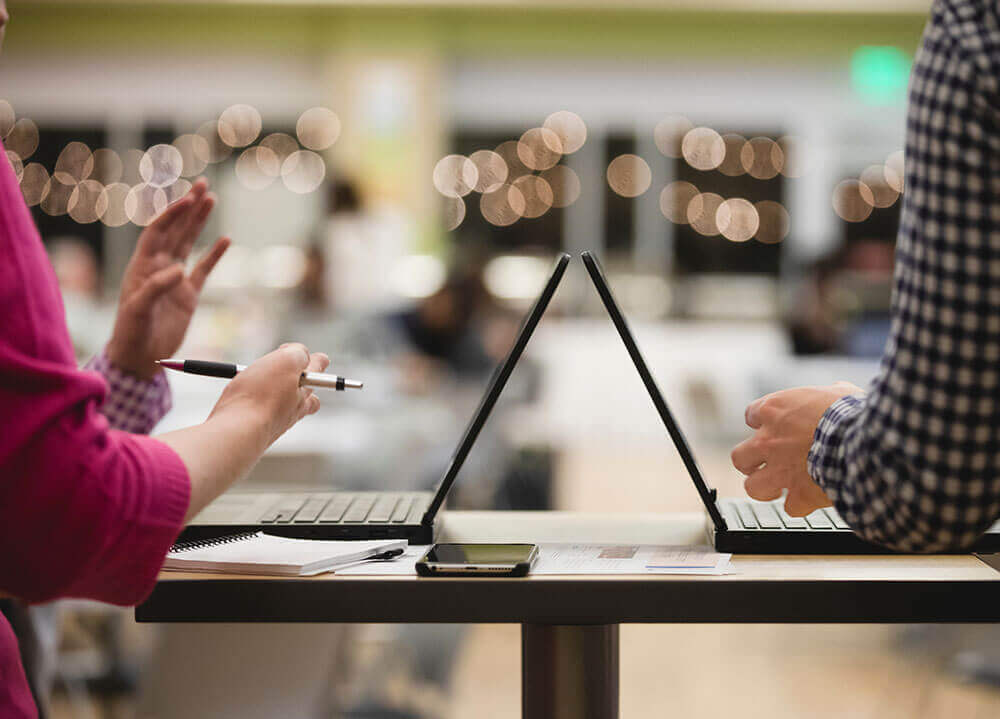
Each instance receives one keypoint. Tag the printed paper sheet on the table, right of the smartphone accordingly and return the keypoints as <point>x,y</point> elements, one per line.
<point>629,559</point>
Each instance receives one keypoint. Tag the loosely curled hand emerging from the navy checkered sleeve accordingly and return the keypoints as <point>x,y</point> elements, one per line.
<point>774,459</point>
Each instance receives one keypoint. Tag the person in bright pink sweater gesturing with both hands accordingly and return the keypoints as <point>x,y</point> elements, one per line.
<point>90,511</point>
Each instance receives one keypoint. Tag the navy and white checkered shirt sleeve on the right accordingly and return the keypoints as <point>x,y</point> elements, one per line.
<point>915,464</point>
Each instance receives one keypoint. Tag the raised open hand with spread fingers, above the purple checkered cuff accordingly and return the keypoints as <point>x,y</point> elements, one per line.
<point>157,299</point>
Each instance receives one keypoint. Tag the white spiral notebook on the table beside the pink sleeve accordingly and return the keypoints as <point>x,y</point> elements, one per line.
<point>259,553</point>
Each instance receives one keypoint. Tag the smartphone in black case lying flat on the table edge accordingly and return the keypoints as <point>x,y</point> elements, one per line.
<point>463,560</point>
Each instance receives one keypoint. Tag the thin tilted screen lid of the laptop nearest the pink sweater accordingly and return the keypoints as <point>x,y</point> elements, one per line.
<point>495,387</point>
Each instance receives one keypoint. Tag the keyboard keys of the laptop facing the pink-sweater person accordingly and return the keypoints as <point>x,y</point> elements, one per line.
<point>345,508</point>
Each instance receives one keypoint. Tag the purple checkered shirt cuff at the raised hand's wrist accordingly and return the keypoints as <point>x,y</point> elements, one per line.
<point>132,404</point>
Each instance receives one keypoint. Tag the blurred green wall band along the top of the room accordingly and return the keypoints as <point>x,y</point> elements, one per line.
<point>457,32</point>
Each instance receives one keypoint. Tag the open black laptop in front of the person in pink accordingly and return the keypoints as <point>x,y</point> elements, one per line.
<point>366,515</point>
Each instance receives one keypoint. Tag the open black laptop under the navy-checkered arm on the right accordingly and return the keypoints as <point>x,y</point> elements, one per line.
<point>744,525</point>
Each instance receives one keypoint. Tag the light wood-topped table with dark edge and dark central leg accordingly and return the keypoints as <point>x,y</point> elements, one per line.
<point>569,634</point>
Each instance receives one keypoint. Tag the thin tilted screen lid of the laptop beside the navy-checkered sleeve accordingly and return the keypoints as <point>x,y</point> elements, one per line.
<point>673,429</point>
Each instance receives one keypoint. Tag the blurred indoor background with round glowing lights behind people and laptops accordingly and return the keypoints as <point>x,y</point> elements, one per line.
<point>397,179</point>
